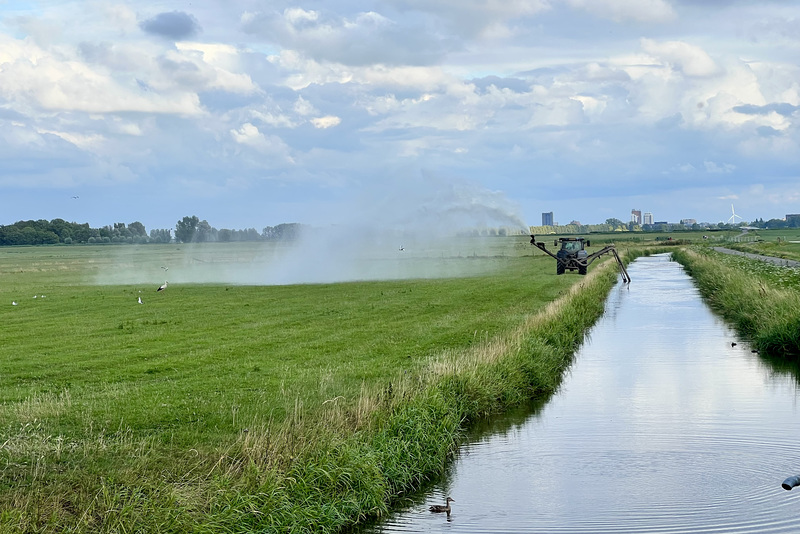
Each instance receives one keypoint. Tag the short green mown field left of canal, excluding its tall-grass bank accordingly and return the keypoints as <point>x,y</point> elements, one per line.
<point>207,359</point>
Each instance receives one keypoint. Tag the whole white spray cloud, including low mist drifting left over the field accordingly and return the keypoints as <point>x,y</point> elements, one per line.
<point>423,227</point>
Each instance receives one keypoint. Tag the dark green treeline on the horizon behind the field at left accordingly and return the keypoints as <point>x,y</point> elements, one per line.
<point>187,230</point>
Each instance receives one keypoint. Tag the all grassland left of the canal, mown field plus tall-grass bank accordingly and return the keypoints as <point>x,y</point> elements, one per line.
<point>220,408</point>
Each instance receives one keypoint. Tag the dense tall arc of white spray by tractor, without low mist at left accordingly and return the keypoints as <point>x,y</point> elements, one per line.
<point>366,234</point>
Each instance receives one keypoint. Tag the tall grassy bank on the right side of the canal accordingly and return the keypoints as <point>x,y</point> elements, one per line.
<point>760,300</point>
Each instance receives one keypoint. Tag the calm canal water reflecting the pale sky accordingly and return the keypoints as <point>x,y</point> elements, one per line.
<point>662,425</point>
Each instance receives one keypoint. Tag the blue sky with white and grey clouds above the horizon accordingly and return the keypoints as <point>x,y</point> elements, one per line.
<point>249,113</point>
